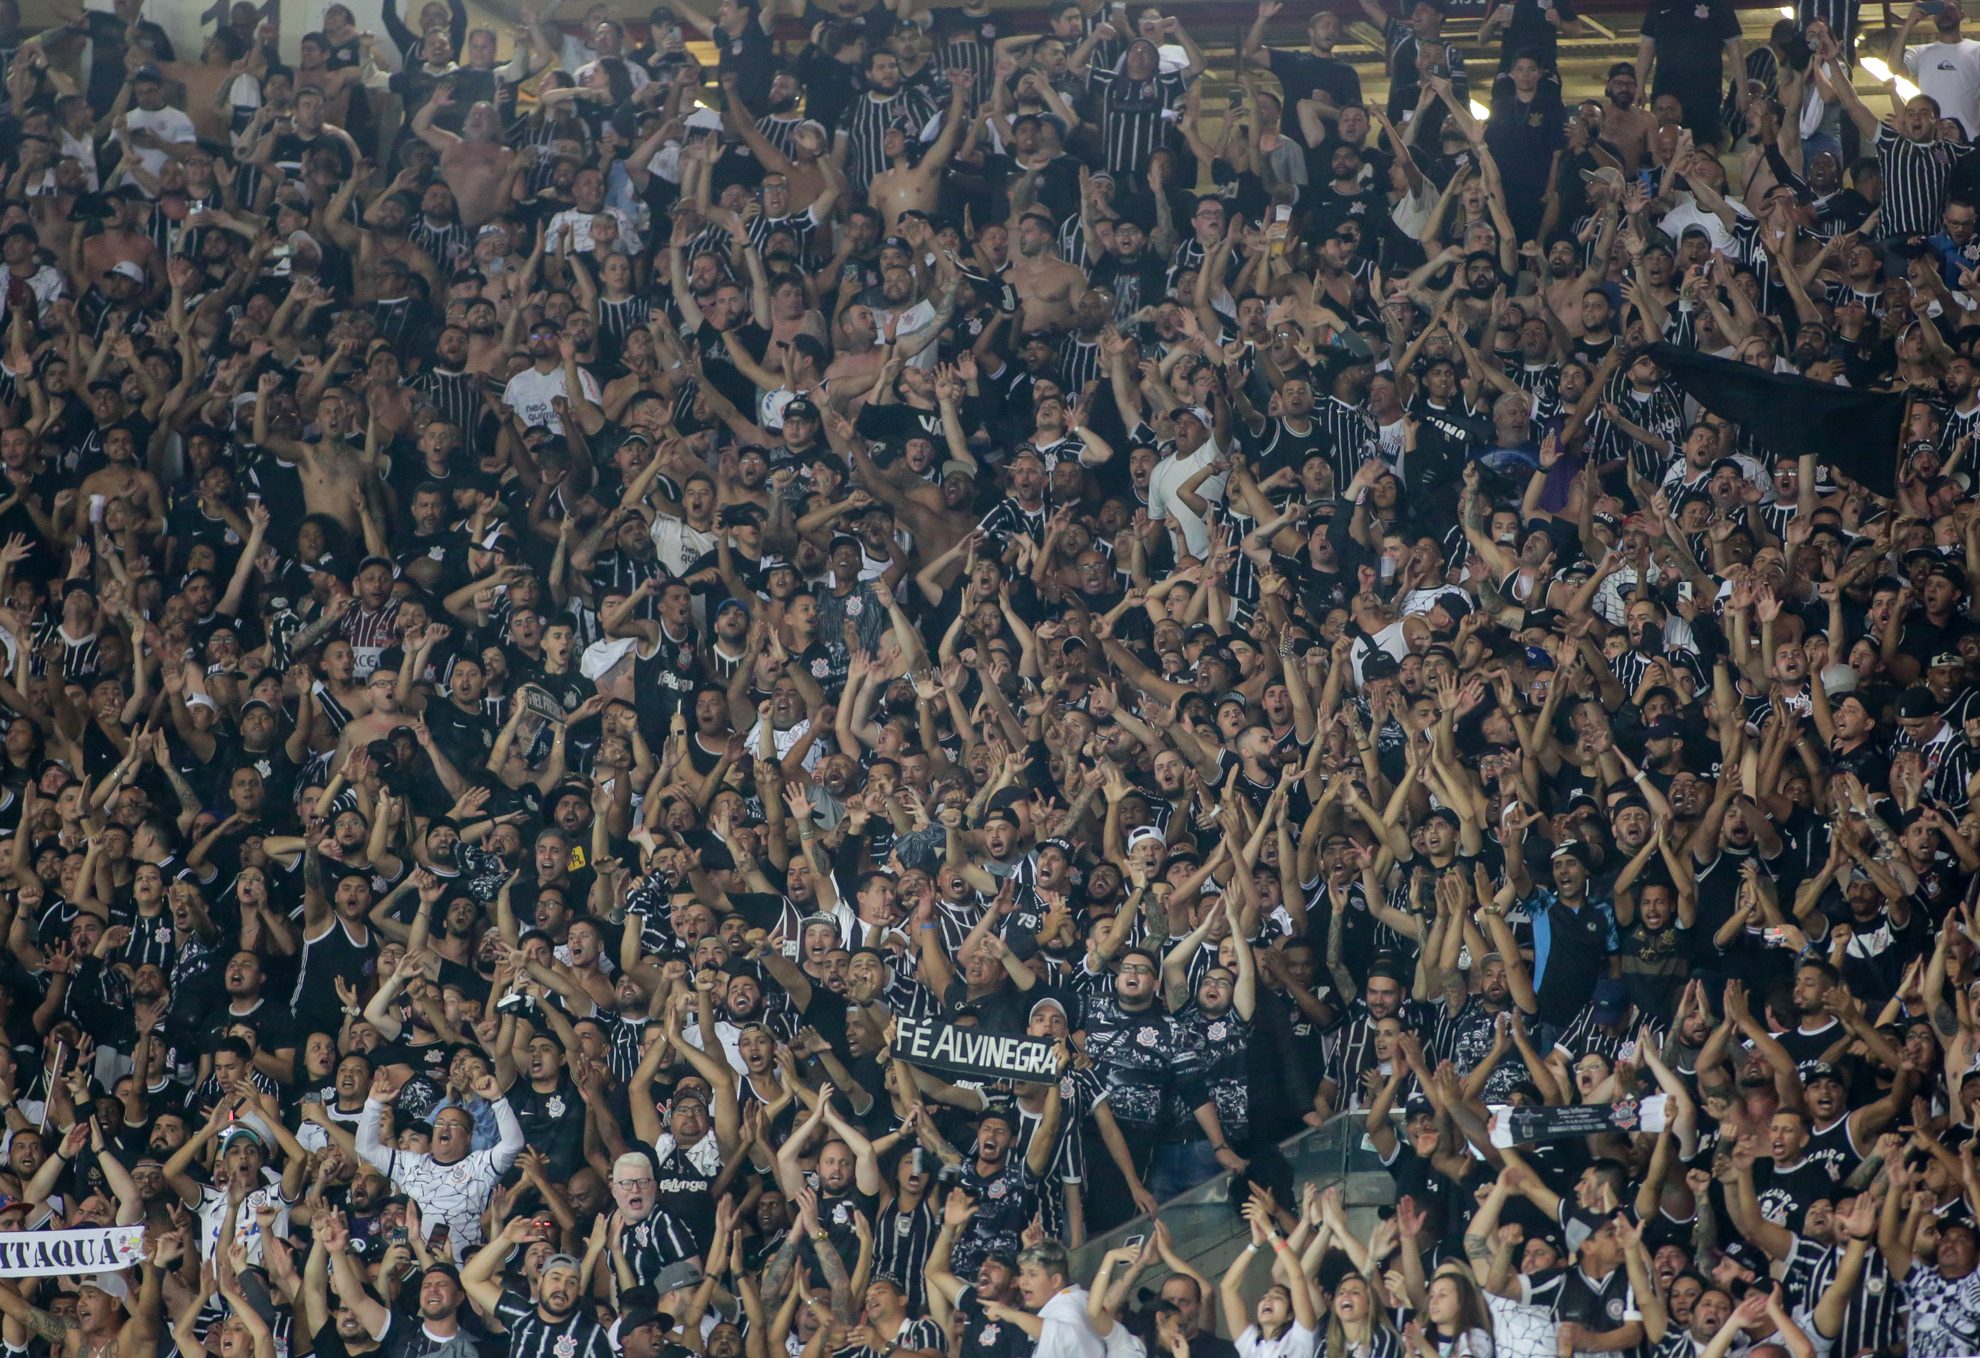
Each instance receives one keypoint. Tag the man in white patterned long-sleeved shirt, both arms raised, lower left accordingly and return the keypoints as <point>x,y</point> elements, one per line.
<point>450,1183</point>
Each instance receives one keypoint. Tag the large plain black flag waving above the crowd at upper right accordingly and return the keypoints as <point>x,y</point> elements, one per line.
<point>1852,431</point>
